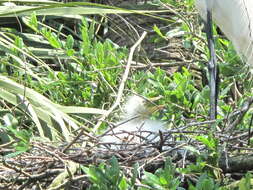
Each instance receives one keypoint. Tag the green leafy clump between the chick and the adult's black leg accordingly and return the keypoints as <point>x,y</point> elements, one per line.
<point>179,93</point>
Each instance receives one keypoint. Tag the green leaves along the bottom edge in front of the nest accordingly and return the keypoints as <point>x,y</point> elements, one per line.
<point>109,176</point>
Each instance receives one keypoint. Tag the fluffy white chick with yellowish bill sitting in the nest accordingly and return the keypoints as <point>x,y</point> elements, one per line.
<point>136,127</point>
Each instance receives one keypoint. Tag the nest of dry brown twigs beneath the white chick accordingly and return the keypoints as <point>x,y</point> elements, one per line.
<point>56,167</point>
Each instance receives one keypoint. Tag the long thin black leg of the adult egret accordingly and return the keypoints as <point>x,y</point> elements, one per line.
<point>212,68</point>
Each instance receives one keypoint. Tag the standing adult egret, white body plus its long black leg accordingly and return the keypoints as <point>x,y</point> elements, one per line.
<point>235,19</point>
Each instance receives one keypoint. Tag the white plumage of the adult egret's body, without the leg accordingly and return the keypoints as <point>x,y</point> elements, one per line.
<point>235,19</point>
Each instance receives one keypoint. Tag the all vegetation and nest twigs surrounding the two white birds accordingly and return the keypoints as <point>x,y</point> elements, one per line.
<point>62,71</point>
